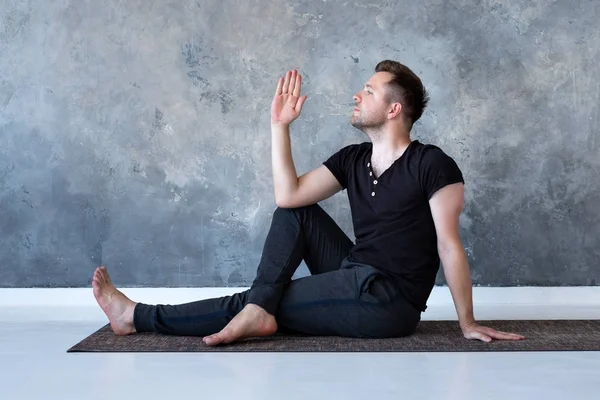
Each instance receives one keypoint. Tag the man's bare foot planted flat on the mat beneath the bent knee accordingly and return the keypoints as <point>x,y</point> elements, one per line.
<point>252,321</point>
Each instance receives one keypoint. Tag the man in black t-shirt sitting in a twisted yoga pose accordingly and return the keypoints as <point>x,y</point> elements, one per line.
<point>406,198</point>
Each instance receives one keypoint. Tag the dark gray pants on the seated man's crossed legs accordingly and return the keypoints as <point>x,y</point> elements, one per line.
<point>339,298</point>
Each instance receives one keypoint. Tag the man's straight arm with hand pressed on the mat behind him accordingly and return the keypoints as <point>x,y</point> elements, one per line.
<point>446,206</point>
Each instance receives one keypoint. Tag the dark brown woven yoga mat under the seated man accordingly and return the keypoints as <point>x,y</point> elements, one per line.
<point>431,336</point>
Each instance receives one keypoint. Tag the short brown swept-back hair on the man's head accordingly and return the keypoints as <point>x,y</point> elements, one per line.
<point>405,87</point>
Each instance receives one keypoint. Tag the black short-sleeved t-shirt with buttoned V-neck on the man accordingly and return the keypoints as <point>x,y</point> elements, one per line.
<point>392,221</point>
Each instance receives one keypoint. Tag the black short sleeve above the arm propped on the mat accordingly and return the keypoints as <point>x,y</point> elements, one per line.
<point>437,170</point>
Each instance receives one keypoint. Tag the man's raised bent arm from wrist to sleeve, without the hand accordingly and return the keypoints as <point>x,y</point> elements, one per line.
<point>292,191</point>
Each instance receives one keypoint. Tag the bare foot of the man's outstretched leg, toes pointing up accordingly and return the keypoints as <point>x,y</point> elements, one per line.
<point>117,307</point>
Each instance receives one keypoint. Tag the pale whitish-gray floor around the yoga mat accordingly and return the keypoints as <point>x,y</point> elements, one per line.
<point>34,365</point>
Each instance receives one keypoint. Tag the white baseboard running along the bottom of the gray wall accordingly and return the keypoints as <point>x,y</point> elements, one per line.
<point>588,296</point>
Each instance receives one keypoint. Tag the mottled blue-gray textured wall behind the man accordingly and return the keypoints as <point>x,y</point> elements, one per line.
<point>135,134</point>
